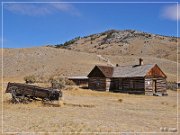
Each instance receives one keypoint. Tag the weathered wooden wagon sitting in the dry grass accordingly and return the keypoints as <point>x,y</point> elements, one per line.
<point>23,92</point>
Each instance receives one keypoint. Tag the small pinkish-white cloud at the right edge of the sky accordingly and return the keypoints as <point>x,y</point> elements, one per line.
<point>171,12</point>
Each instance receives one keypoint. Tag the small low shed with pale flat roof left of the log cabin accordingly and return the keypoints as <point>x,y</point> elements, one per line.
<point>79,80</point>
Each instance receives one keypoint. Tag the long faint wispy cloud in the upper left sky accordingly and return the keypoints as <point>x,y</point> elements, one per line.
<point>34,9</point>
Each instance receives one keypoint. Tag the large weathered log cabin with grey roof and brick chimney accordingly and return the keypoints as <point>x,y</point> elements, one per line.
<point>140,79</point>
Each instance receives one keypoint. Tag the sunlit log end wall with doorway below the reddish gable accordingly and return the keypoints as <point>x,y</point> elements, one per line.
<point>155,85</point>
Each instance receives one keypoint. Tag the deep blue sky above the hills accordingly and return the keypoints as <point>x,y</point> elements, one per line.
<point>37,24</point>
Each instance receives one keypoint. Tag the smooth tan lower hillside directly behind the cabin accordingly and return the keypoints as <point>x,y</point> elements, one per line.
<point>45,62</point>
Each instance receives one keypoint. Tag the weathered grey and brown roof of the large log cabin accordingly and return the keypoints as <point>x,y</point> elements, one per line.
<point>125,71</point>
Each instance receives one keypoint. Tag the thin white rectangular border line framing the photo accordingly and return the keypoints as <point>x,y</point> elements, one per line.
<point>138,2</point>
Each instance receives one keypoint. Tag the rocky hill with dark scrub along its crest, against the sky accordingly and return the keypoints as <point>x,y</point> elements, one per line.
<point>125,42</point>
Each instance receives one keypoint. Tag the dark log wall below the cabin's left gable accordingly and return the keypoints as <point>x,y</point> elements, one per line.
<point>97,83</point>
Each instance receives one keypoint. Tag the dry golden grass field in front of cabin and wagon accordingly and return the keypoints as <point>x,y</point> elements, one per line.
<point>85,111</point>
